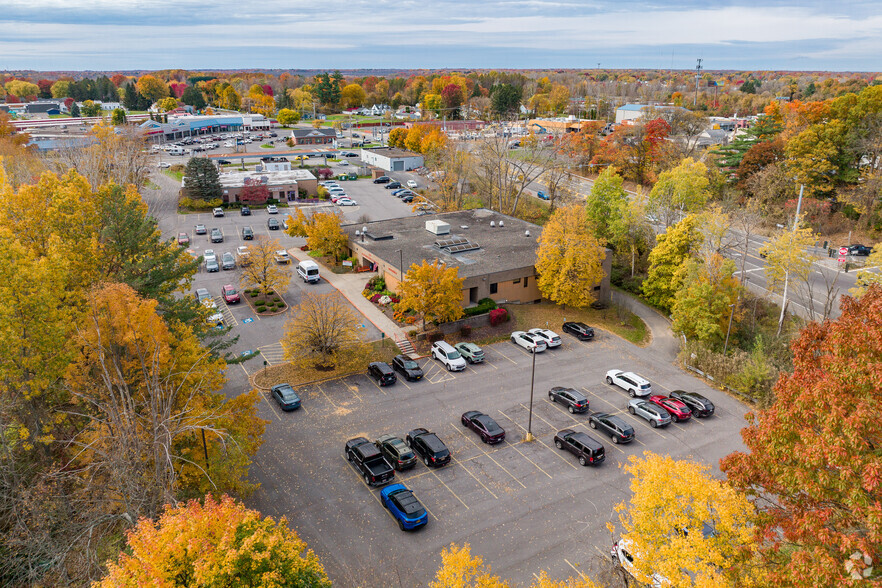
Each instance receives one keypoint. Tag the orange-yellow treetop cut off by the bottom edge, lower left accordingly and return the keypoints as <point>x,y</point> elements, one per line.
<point>215,543</point>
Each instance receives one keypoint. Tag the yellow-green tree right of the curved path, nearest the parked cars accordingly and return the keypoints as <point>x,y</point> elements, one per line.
<point>702,305</point>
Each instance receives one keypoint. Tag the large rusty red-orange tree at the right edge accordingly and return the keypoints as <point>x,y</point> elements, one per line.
<point>814,461</point>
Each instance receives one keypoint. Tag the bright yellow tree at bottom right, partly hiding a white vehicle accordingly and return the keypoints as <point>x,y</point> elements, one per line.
<point>691,528</point>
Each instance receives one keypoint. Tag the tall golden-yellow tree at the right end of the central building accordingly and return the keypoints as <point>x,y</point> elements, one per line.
<point>570,258</point>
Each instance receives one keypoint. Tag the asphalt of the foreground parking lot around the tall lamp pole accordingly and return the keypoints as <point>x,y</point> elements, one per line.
<point>524,507</point>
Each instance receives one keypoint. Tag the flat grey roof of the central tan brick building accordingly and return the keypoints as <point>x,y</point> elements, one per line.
<point>499,249</point>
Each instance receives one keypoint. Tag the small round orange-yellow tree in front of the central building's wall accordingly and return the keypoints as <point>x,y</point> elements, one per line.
<point>433,291</point>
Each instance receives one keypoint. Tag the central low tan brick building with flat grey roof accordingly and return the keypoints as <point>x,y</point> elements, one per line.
<point>494,253</point>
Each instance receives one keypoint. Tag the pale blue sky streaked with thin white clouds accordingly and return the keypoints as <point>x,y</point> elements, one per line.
<point>457,34</point>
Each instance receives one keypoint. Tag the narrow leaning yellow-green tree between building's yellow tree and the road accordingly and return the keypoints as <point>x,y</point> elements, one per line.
<point>672,249</point>
